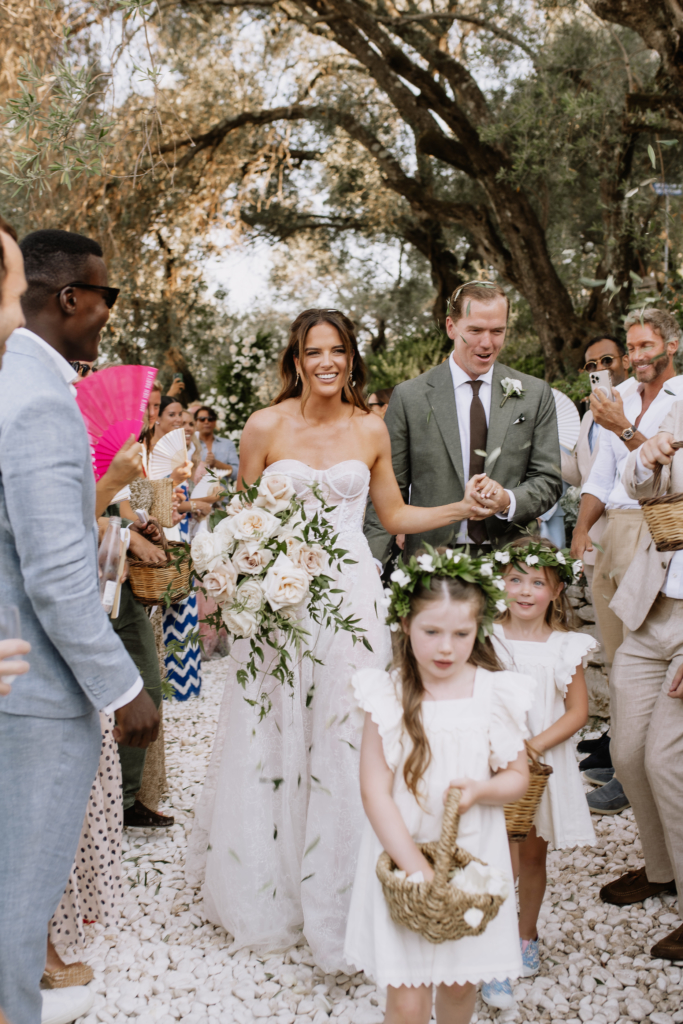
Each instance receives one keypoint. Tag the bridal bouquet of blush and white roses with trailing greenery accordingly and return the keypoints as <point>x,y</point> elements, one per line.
<point>266,566</point>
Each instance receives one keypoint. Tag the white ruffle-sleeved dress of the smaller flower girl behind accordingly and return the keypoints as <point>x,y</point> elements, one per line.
<point>564,818</point>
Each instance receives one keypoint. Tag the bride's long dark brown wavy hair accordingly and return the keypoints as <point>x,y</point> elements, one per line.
<point>293,389</point>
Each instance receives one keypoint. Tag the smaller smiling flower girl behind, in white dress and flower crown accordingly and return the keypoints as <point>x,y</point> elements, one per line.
<point>533,637</point>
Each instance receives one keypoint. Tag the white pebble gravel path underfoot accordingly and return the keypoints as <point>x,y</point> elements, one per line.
<point>165,964</point>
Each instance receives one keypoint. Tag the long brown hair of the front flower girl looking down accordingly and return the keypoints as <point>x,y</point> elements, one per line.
<point>484,656</point>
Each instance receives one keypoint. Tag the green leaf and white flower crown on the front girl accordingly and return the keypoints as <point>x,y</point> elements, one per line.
<point>484,572</point>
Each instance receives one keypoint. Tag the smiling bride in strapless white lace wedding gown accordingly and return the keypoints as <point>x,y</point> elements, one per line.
<point>279,822</point>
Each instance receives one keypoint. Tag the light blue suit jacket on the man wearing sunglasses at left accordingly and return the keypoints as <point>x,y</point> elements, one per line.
<point>49,544</point>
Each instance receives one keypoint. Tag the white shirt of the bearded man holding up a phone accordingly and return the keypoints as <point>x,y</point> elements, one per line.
<point>606,479</point>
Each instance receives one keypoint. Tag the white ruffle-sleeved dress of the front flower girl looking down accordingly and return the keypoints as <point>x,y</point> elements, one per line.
<point>472,738</point>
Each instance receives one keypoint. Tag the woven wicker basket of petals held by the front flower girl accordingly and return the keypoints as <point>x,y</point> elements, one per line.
<point>437,910</point>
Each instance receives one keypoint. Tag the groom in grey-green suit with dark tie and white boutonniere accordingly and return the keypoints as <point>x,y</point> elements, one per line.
<point>475,432</point>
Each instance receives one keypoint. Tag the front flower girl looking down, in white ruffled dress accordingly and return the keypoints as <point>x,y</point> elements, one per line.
<point>447,716</point>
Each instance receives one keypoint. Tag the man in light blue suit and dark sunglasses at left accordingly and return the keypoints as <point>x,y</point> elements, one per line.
<point>50,727</point>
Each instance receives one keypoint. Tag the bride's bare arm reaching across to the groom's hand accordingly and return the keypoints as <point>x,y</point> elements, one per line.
<point>396,517</point>
